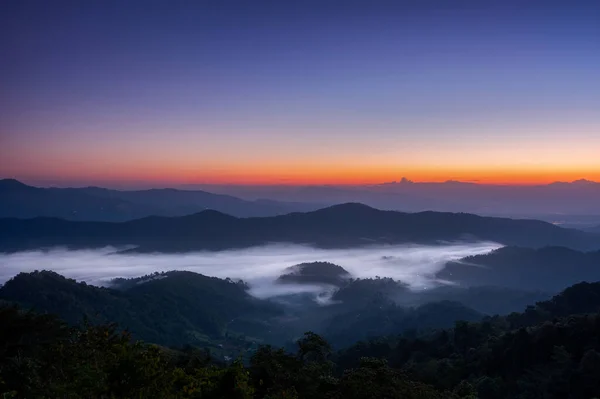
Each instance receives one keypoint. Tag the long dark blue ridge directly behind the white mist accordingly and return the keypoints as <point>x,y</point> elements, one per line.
<point>339,226</point>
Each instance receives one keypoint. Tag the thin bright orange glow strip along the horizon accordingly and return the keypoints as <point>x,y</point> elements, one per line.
<point>327,176</point>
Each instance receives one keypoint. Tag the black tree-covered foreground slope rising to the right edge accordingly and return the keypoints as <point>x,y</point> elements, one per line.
<point>550,350</point>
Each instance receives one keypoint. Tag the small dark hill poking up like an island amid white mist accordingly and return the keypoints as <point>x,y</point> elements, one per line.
<point>315,273</point>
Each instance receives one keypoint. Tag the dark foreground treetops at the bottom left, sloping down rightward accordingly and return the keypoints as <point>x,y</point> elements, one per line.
<point>41,357</point>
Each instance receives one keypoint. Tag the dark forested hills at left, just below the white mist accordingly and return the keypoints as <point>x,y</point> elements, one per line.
<point>173,308</point>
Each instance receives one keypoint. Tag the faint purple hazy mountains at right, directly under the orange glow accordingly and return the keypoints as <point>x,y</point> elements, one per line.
<point>551,202</point>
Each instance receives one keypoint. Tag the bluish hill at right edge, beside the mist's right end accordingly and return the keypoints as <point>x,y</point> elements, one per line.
<point>547,269</point>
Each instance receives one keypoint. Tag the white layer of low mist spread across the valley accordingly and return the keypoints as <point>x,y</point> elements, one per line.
<point>259,266</point>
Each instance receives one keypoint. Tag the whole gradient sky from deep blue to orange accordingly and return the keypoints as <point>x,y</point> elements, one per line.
<point>172,92</point>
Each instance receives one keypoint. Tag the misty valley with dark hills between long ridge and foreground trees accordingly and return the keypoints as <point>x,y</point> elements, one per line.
<point>281,290</point>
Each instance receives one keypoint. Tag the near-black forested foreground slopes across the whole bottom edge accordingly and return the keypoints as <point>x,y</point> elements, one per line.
<point>552,350</point>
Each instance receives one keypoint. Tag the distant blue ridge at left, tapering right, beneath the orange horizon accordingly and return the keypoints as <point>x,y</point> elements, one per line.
<point>100,204</point>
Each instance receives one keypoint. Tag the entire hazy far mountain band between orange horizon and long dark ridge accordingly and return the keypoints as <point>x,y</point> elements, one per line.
<point>573,204</point>
